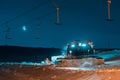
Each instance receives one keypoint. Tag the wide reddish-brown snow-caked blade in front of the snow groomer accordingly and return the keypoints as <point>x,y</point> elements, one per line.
<point>85,62</point>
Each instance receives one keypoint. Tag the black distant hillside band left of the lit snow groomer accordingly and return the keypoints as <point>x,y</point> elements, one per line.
<point>28,54</point>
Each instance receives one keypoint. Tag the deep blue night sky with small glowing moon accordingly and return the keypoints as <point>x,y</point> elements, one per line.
<point>28,20</point>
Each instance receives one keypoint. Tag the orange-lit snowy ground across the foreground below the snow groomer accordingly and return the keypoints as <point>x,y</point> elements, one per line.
<point>108,71</point>
